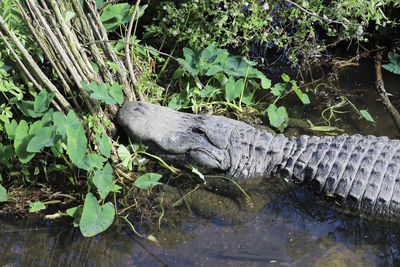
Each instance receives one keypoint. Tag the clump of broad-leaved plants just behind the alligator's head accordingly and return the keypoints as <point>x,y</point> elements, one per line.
<point>231,77</point>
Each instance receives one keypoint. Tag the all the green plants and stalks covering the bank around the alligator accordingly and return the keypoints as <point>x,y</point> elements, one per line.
<point>65,68</point>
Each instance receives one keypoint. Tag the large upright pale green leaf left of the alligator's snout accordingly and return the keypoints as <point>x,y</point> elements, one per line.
<point>77,144</point>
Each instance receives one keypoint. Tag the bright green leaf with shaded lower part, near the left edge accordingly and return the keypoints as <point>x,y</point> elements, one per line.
<point>21,141</point>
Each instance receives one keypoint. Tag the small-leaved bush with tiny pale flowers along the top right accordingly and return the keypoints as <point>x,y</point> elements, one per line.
<point>282,26</point>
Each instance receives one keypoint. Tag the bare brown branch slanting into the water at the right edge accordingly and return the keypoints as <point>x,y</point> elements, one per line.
<point>380,88</point>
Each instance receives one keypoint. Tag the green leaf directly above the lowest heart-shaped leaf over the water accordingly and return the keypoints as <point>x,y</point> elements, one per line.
<point>103,180</point>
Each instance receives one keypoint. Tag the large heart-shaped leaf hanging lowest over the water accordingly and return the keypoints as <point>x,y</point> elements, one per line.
<point>95,218</point>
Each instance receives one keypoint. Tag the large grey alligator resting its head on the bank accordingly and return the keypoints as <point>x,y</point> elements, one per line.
<point>360,171</point>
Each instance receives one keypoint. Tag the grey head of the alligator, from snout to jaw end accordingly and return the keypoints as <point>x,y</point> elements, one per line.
<point>181,138</point>
